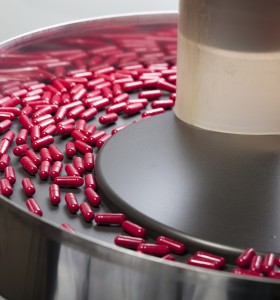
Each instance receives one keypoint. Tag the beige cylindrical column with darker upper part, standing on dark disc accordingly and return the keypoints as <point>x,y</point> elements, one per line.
<point>229,65</point>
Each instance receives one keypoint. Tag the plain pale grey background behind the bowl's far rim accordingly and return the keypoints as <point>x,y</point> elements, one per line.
<point>20,16</point>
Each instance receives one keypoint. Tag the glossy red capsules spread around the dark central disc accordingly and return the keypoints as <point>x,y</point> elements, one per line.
<point>73,92</point>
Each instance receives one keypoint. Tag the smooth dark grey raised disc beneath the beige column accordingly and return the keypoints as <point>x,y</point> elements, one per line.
<point>213,191</point>
